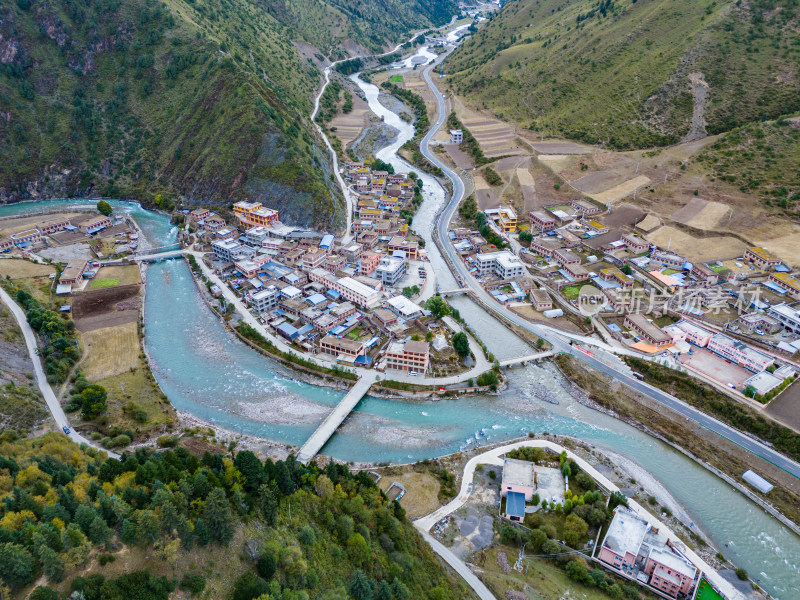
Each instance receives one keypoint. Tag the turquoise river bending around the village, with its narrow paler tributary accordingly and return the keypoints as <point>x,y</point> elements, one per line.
<point>206,372</point>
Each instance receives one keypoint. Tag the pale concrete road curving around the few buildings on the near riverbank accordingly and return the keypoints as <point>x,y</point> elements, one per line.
<point>494,457</point>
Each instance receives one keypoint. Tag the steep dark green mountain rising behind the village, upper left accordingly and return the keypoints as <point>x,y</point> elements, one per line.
<point>207,100</point>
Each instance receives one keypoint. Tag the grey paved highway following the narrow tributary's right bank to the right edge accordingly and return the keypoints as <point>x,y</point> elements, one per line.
<point>562,341</point>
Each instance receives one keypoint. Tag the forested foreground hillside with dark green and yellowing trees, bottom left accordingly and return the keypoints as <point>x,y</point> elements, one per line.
<point>75,525</point>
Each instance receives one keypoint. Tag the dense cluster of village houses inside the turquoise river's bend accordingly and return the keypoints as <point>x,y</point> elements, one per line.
<point>322,296</point>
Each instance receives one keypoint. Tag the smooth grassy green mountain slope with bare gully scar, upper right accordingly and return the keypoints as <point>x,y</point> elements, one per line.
<point>633,73</point>
